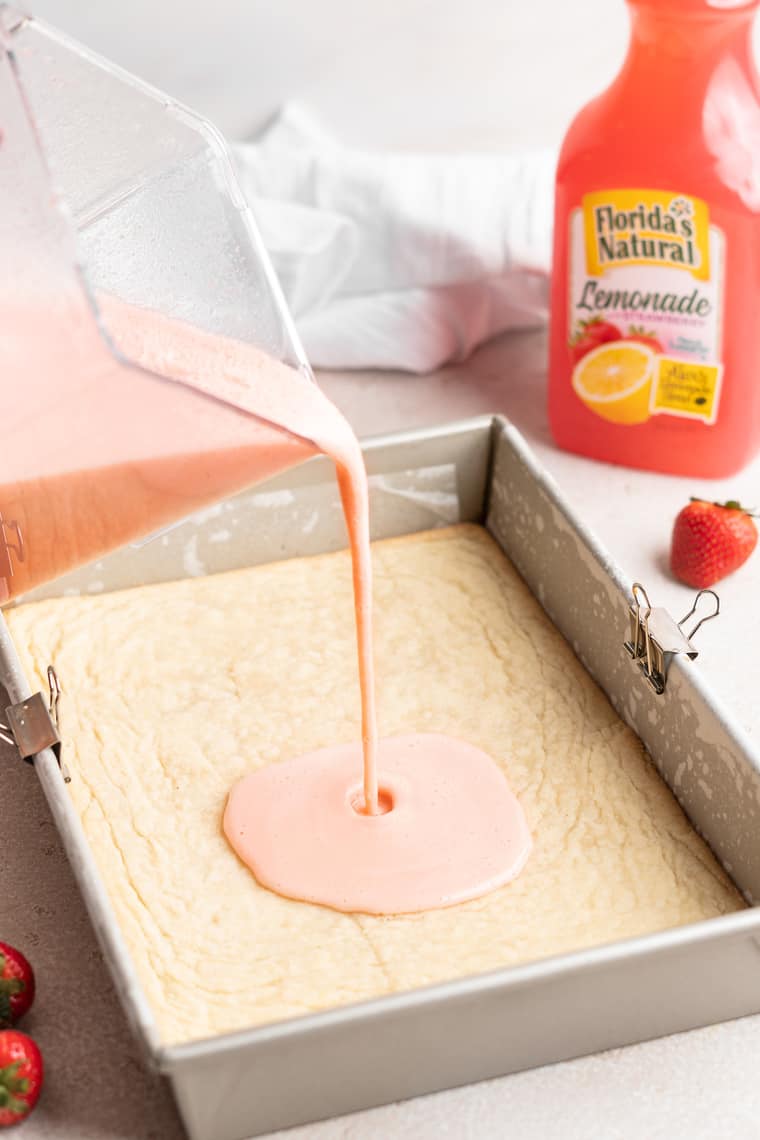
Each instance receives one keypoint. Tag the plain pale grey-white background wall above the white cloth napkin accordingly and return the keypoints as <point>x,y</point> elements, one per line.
<point>432,75</point>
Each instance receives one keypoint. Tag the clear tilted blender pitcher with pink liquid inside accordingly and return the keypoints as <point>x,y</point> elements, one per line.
<point>128,256</point>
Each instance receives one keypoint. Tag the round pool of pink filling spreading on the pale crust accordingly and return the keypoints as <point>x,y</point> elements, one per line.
<point>448,829</point>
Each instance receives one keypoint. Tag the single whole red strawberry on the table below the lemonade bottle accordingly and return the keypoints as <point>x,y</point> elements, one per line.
<point>710,541</point>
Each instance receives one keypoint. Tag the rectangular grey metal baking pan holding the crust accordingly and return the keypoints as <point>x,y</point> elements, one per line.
<point>373,1053</point>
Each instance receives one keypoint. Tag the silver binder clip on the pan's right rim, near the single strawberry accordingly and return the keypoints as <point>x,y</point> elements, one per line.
<point>656,638</point>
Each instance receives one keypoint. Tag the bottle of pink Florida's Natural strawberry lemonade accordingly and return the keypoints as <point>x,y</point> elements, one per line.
<point>656,308</point>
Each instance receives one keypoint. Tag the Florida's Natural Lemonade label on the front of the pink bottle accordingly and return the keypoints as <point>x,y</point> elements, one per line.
<point>647,284</point>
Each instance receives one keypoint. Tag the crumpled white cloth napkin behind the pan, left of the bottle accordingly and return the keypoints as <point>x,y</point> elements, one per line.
<point>396,260</point>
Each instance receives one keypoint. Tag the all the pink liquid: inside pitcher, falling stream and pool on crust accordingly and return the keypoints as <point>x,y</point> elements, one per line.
<point>121,454</point>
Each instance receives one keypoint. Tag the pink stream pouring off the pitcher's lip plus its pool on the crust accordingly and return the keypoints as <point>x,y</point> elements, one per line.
<point>435,821</point>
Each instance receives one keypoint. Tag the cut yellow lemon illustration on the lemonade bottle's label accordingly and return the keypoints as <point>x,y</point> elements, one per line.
<point>615,381</point>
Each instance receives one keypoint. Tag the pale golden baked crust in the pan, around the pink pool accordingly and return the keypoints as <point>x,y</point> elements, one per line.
<point>199,682</point>
